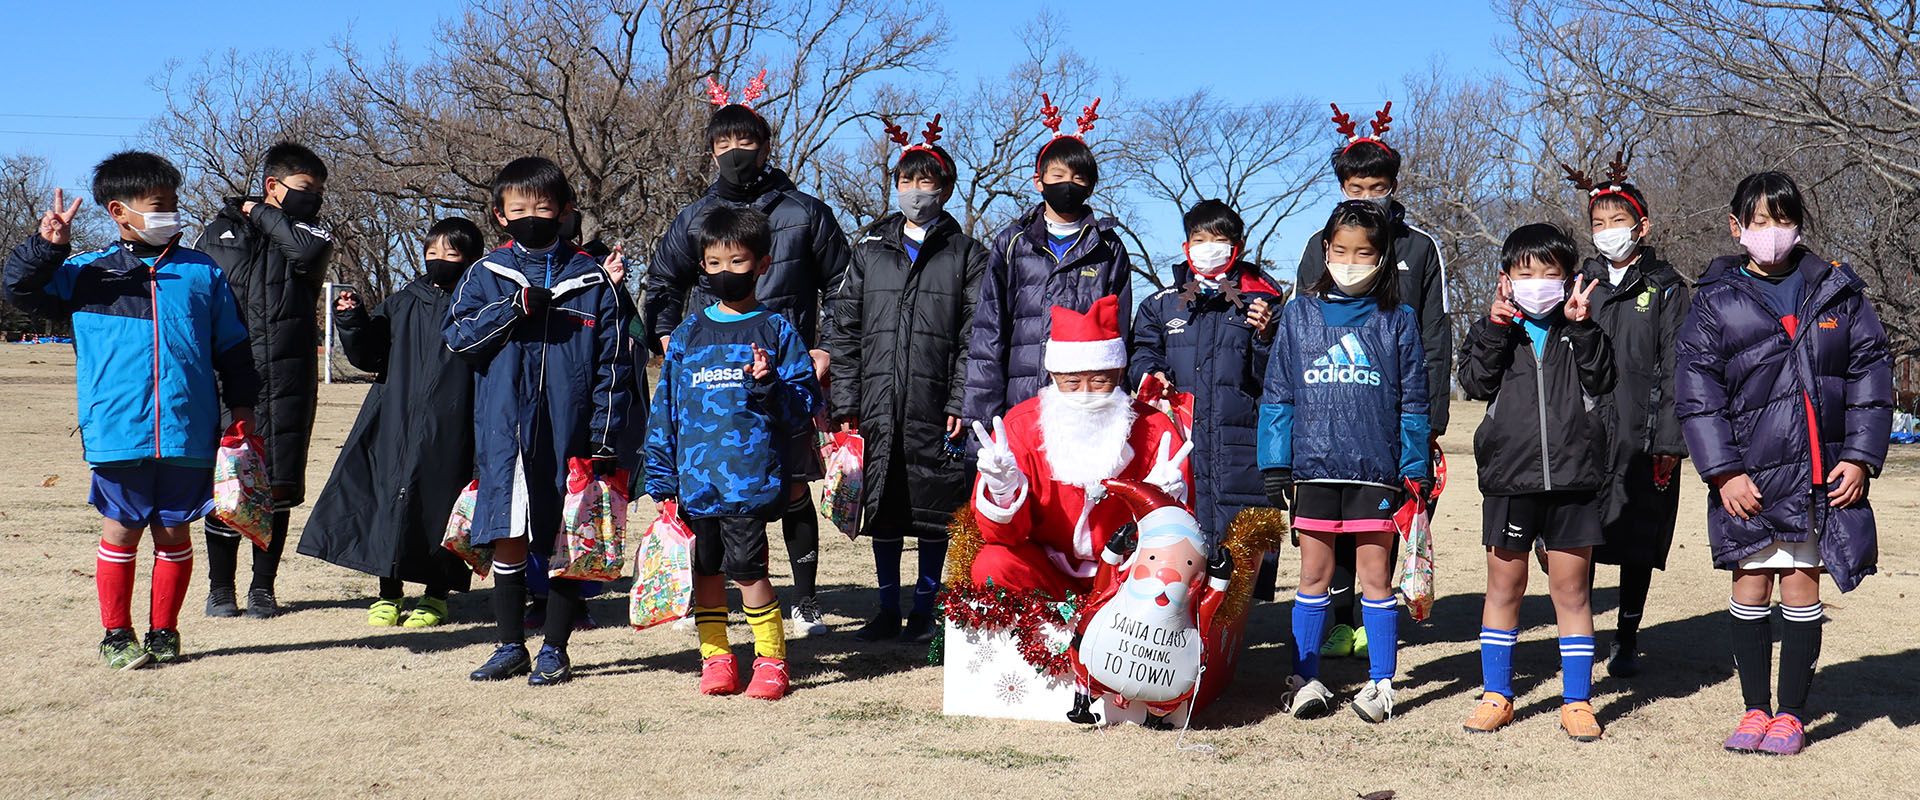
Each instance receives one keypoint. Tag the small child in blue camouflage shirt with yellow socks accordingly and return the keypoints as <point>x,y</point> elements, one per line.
<point>734,388</point>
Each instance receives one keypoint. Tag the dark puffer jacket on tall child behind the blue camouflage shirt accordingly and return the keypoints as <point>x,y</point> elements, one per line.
<point>809,256</point>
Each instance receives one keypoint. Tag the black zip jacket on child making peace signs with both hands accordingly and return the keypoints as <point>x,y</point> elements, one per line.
<point>1547,419</point>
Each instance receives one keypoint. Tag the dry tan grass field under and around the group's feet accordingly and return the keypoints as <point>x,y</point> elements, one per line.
<point>320,705</point>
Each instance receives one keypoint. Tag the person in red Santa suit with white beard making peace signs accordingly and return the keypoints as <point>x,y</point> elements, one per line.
<point>1042,469</point>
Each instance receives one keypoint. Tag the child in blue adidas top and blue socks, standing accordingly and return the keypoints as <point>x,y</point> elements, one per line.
<point>1343,429</point>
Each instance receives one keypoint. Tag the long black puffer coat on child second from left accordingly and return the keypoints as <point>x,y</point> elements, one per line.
<point>277,268</point>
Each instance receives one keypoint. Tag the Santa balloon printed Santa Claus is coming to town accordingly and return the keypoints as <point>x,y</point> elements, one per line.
<point>1157,596</point>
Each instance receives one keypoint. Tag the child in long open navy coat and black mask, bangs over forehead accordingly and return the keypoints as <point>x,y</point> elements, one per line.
<point>546,335</point>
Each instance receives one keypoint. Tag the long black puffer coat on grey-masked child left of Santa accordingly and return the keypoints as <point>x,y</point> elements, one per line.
<point>900,344</point>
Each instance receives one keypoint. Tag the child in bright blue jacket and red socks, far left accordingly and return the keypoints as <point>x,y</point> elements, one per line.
<point>158,348</point>
